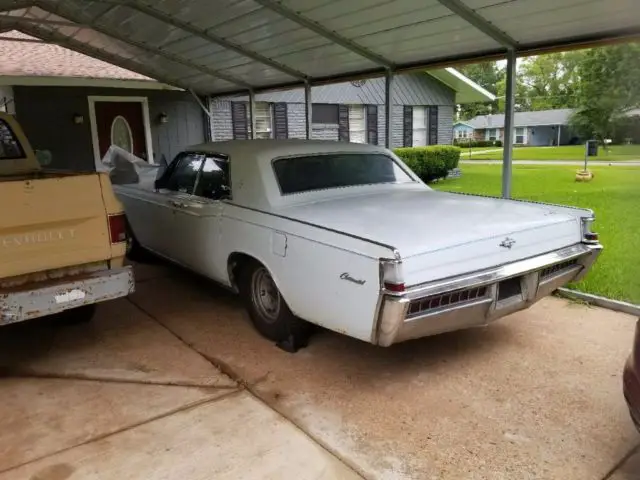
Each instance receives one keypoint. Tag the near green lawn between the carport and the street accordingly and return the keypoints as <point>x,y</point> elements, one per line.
<point>614,195</point>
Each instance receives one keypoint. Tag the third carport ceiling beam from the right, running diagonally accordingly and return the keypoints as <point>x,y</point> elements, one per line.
<point>208,36</point>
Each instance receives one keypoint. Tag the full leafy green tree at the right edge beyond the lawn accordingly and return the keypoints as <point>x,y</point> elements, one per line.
<point>609,87</point>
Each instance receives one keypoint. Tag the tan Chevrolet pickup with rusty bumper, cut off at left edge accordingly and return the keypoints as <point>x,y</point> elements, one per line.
<point>62,237</point>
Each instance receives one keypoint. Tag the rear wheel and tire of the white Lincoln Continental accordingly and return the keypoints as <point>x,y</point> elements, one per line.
<point>268,310</point>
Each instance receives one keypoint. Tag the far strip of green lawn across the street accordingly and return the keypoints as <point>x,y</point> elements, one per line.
<point>565,152</point>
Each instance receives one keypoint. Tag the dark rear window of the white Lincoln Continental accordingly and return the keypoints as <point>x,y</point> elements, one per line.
<point>336,170</point>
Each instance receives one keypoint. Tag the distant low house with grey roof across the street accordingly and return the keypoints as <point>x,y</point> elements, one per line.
<point>541,128</point>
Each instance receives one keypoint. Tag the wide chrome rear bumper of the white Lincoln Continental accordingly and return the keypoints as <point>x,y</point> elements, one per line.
<point>478,298</point>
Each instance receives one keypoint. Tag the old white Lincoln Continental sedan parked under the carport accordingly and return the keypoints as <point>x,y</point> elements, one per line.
<point>345,236</point>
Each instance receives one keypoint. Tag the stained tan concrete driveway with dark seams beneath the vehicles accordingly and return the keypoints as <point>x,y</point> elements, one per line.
<point>175,383</point>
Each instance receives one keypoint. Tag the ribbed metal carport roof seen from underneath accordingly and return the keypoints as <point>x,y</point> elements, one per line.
<point>228,46</point>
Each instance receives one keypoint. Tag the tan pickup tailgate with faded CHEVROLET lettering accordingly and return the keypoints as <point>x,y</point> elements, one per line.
<point>51,222</point>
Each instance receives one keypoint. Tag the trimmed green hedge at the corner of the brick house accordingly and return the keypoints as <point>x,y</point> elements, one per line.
<point>430,163</point>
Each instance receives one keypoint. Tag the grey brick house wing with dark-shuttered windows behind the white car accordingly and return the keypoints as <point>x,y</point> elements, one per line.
<point>423,107</point>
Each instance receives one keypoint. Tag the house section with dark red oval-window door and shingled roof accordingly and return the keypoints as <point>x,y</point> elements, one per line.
<point>76,106</point>
